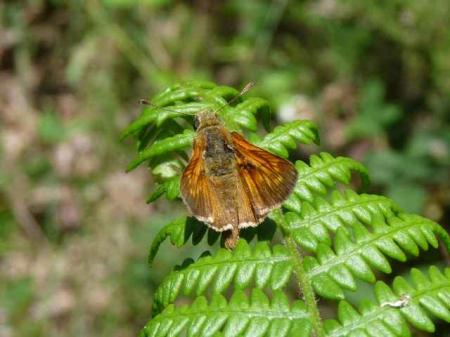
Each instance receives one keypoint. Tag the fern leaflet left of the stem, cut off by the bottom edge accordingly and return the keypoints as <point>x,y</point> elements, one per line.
<point>241,316</point>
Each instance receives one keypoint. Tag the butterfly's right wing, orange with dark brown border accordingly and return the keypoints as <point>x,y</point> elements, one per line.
<point>267,179</point>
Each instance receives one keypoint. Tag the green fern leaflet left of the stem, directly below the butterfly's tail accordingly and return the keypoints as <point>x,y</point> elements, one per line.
<point>261,266</point>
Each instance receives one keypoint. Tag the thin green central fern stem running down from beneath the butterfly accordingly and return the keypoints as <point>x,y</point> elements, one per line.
<point>304,282</point>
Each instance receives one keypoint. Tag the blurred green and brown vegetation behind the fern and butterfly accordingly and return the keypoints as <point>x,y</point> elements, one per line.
<point>74,228</point>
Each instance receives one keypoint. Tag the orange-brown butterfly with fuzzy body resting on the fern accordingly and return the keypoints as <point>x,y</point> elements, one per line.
<point>230,183</point>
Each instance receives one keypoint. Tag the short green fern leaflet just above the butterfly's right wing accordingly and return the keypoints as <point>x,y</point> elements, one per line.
<point>285,137</point>
